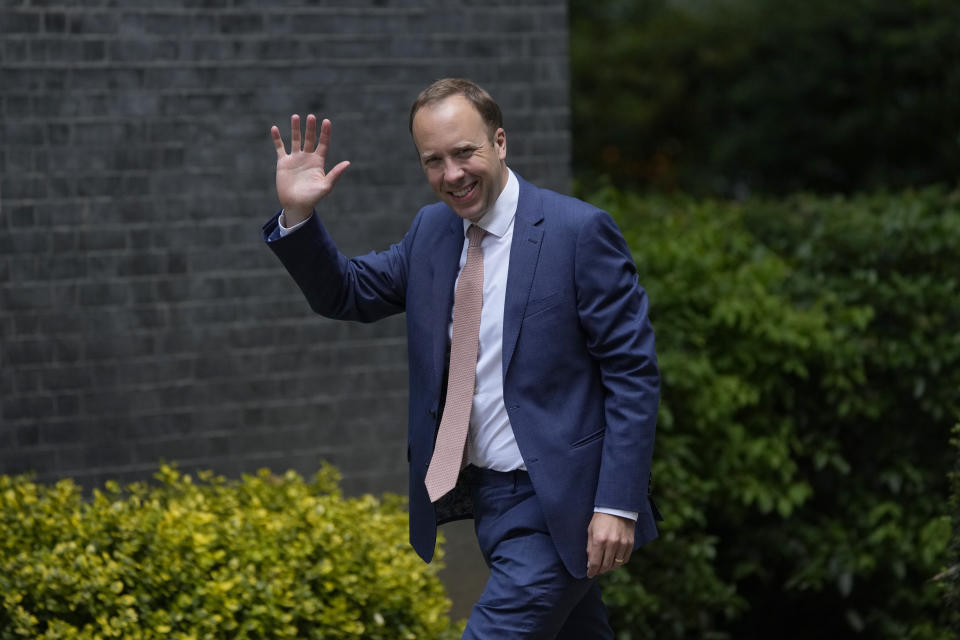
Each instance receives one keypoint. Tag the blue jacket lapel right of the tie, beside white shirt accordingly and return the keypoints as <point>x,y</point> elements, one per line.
<point>524,253</point>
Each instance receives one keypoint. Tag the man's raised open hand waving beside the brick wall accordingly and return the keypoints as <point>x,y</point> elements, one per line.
<point>301,179</point>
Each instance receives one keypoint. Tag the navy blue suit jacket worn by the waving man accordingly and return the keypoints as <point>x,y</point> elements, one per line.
<point>580,378</point>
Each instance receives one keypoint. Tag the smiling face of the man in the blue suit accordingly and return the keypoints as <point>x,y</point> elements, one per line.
<point>464,167</point>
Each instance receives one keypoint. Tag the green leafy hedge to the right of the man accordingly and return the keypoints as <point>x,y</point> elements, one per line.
<point>811,374</point>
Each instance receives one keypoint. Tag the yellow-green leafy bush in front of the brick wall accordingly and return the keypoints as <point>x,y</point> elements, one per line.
<point>266,557</point>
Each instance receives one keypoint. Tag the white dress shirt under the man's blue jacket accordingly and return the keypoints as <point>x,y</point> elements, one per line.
<point>491,443</point>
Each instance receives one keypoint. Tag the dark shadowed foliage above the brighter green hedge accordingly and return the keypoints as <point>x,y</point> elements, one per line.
<point>735,97</point>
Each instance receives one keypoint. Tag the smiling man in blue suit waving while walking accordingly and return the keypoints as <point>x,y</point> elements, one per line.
<point>562,402</point>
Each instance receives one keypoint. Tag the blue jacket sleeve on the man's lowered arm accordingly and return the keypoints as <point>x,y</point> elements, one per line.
<point>613,311</point>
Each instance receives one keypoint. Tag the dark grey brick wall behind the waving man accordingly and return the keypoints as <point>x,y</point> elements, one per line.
<point>141,317</point>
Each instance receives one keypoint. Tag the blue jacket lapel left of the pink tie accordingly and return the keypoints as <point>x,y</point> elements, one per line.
<point>446,263</point>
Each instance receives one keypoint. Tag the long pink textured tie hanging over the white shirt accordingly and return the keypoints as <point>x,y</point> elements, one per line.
<point>448,453</point>
